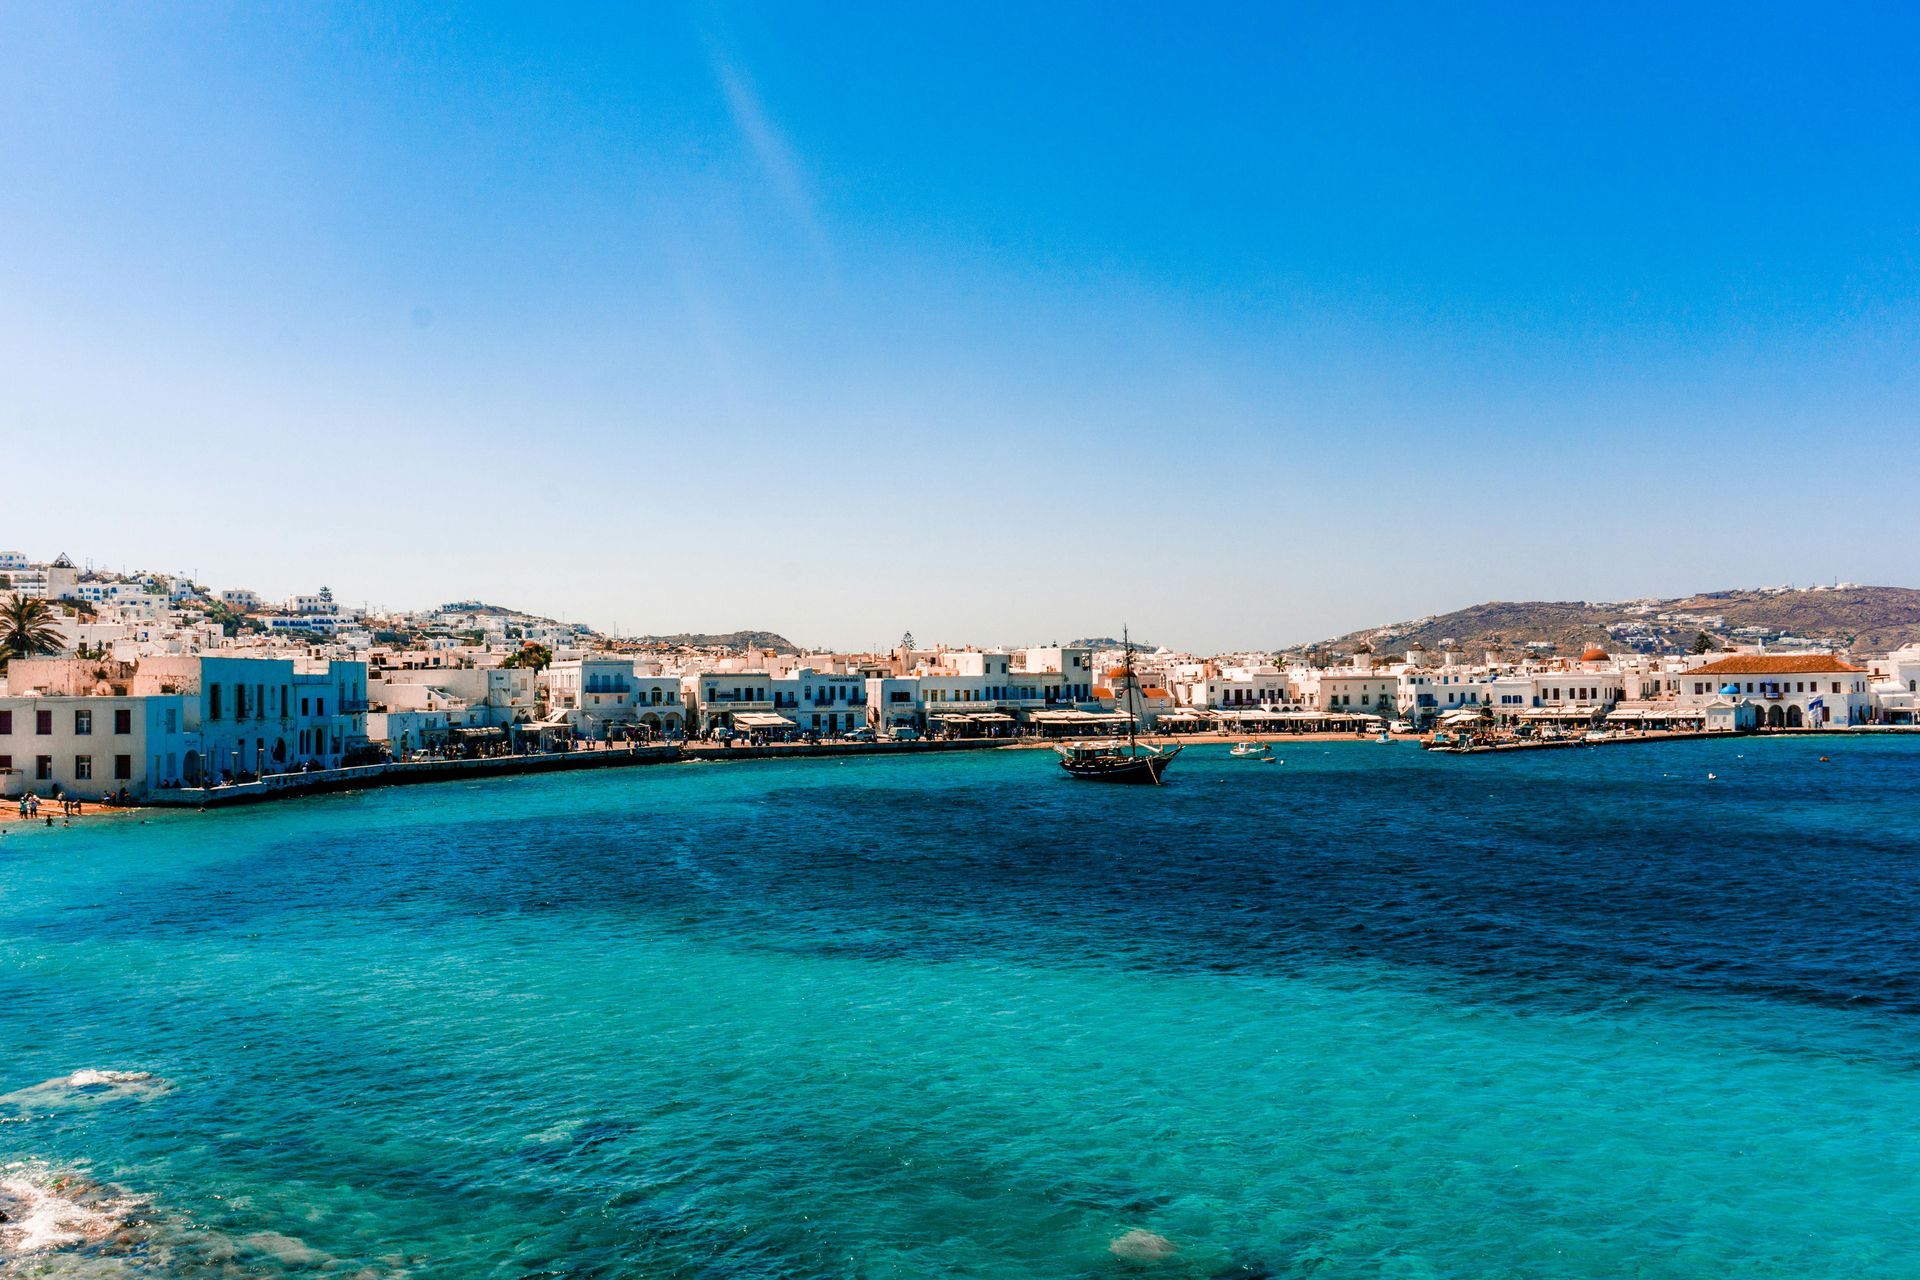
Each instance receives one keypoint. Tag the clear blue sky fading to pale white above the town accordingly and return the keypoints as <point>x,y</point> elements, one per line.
<point>1247,325</point>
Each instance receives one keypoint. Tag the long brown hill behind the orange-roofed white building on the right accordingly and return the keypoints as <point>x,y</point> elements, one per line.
<point>1865,619</point>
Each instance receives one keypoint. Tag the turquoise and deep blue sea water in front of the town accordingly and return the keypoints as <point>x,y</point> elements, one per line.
<point>1360,1014</point>
